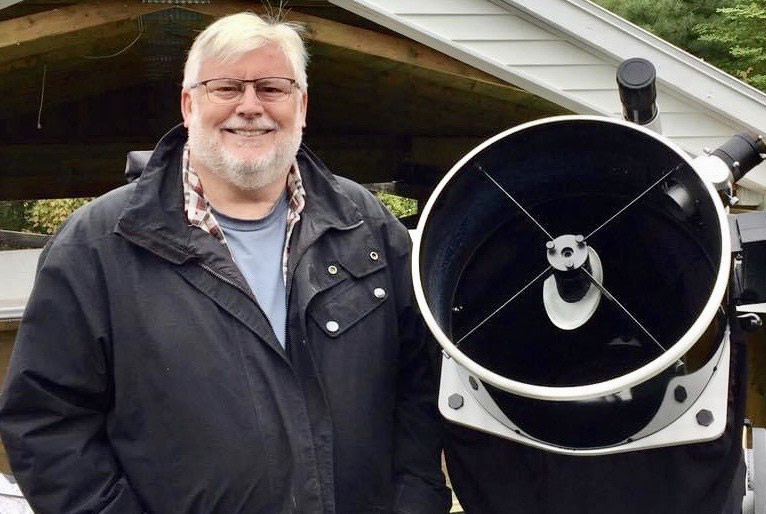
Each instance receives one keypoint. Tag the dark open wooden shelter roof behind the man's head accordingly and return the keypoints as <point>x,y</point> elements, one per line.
<point>82,83</point>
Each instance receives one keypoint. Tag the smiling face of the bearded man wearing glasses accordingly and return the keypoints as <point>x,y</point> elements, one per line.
<point>250,143</point>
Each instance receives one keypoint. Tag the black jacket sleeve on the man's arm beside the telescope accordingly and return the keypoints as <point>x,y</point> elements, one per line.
<point>418,437</point>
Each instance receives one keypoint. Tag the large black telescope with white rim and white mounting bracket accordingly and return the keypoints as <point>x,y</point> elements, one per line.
<point>585,280</point>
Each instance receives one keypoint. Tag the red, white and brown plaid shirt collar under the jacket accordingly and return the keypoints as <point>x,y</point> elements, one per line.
<point>199,213</point>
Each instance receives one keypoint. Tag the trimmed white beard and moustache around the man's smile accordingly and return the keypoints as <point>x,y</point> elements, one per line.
<point>246,174</point>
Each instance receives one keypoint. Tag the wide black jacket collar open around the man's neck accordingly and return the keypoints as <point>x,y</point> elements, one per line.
<point>154,216</point>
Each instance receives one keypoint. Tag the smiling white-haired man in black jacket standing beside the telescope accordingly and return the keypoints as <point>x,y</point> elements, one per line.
<point>234,332</point>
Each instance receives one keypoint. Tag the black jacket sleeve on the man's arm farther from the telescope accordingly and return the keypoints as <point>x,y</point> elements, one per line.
<point>58,390</point>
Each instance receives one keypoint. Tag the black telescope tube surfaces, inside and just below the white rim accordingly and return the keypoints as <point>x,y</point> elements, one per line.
<point>479,249</point>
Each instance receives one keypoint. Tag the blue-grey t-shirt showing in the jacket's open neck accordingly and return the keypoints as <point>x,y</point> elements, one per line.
<point>257,246</point>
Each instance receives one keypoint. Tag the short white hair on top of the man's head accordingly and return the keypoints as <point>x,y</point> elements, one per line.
<point>231,37</point>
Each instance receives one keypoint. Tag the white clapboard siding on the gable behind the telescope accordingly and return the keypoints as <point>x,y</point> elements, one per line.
<point>567,51</point>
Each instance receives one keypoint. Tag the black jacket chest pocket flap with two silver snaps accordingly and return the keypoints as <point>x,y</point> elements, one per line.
<point>347,303</point>
